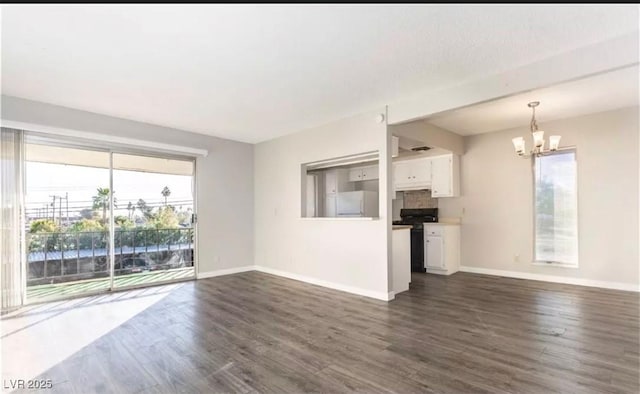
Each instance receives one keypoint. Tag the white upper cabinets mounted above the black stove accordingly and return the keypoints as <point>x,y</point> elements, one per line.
<point>441,174</point>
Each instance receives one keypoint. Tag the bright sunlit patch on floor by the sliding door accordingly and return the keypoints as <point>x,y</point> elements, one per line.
<point>37,337</point>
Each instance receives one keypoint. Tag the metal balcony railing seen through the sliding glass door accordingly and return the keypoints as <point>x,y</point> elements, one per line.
<point>68,256</point>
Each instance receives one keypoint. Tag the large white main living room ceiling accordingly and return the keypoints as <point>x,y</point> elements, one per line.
<point>252,73</point>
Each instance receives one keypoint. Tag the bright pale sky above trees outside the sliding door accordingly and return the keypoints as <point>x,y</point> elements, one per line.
<point>43,180</point>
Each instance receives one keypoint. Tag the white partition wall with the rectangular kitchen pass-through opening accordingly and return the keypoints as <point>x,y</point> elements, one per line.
<point>345,254</point>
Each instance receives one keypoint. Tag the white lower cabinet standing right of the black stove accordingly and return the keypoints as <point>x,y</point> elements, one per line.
<point>442,248</point>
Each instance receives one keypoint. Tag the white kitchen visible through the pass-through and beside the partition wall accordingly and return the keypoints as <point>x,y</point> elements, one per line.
<point>422,241</point>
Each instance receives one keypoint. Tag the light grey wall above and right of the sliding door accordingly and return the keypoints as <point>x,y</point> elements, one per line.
<point>224,177</point>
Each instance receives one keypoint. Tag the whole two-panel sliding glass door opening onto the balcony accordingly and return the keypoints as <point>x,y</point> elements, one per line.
<point>97,220</point>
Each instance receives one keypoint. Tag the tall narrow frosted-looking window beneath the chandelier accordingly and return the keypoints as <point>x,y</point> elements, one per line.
<point>556,208</point>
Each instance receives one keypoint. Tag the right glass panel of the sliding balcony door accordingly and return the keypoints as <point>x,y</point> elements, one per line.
<point>154,234</point>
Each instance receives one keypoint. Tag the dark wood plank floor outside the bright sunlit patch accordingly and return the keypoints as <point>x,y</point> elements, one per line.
<point>254,332</point>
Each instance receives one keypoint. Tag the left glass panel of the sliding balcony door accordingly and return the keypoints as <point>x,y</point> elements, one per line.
<point>67,221</point>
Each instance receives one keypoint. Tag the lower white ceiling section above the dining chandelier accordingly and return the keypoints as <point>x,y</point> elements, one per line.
<point>616,89</point>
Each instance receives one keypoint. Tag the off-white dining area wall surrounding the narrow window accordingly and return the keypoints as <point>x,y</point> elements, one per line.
<point>498,200</point>
